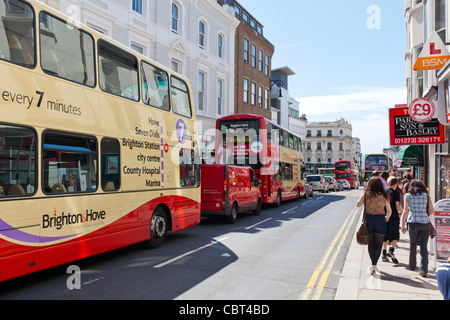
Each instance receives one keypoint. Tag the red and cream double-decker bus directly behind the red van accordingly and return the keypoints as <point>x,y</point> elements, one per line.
<point>274,153</point>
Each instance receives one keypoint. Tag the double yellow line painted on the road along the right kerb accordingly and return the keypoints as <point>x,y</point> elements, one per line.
<point>320,285</point>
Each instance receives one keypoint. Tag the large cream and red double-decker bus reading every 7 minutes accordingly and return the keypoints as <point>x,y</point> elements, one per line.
<point>97,143</point>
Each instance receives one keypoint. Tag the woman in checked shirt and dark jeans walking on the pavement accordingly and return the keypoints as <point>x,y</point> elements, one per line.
<point>418,208</point>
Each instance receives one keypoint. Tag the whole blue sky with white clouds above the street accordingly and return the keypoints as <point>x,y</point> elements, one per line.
<point>348,57</point>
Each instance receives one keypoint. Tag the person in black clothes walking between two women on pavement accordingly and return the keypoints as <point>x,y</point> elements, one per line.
<point>393,224</point>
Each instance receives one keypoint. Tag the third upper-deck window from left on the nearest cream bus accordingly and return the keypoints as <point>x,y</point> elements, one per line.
<point>118,72</point>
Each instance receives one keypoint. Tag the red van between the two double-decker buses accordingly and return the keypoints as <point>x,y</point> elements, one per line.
<point>229,190</point>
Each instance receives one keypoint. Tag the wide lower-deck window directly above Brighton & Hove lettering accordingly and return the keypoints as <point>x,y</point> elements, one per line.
<point>69,163</point>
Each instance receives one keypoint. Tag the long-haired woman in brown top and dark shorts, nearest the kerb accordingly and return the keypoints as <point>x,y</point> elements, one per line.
<point>377,202</point>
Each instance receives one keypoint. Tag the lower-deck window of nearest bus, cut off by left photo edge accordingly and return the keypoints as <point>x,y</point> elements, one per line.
<point>17,161</point>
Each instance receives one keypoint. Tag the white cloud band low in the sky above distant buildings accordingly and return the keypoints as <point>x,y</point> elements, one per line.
<point>367,110</point>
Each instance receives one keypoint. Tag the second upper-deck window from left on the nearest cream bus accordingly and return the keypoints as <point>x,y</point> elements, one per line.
<point>66,51</point>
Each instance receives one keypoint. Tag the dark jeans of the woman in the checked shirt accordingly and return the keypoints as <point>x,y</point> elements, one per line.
<point>418,235</point>
